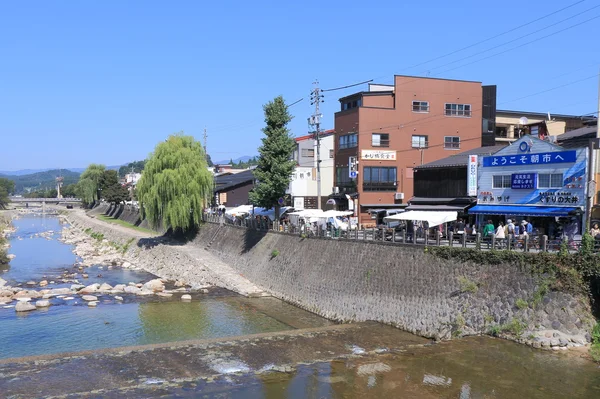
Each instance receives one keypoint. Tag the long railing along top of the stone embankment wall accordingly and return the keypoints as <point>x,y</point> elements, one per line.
<point>424,237</point>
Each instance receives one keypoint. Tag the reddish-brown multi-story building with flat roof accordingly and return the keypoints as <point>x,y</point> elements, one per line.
<point>382,134</point>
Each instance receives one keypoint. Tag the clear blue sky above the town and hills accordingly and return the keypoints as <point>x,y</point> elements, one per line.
<point>104,81</point>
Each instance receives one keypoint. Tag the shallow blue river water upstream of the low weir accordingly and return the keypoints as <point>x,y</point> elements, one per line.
<point>70,325</point>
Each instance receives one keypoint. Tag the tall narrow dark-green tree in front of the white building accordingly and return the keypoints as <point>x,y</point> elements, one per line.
<point>275,164</point>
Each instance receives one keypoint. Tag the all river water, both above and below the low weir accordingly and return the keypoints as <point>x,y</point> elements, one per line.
<point>476,367</point>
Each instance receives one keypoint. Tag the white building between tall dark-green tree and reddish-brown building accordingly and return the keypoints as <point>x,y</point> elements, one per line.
<point>303,187</point>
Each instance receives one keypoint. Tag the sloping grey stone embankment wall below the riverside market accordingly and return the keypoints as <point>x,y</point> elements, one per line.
<point>402,286</point>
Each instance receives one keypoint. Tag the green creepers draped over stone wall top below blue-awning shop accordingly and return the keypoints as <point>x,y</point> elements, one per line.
<point>568,272</point>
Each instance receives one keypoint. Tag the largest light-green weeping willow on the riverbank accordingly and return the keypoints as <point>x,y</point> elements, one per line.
<point>176,184</point>
